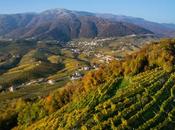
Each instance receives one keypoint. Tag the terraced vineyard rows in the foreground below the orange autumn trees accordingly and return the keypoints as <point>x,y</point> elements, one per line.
<point>148,102</point>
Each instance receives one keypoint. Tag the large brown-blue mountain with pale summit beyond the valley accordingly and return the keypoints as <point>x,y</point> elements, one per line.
<point>64,25</point>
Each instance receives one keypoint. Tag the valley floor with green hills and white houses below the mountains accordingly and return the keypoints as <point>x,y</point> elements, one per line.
<point>67,61</point>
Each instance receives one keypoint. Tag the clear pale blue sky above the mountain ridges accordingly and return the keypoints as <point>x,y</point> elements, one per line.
<point>154,10</point>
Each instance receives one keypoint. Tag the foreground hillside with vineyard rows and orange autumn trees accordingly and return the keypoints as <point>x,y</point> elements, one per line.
<point>136,92</point>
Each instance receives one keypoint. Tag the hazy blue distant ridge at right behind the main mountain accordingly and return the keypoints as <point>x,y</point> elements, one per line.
<point>163,30</point>
